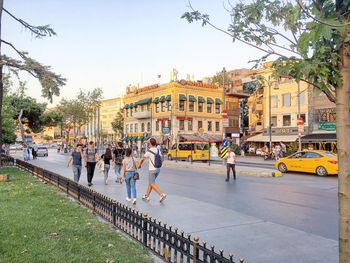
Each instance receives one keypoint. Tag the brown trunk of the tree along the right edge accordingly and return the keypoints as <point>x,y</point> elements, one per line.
<point>343,139</point>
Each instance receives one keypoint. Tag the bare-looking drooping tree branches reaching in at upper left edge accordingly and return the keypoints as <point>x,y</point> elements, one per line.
<point>50,81</point>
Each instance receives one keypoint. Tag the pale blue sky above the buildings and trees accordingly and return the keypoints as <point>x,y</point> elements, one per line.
<point>110,44</point>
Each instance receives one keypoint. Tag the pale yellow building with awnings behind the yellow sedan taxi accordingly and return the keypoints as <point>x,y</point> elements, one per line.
<point>284,97</point>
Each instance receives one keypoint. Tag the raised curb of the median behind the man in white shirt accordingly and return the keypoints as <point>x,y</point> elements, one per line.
<point>221,170</point>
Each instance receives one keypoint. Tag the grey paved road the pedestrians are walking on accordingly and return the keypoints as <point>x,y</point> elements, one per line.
<point>288,219</point>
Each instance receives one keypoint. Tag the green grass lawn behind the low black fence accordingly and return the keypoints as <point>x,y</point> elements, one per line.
<point>40,224</point>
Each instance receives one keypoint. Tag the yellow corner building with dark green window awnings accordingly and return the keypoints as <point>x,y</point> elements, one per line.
<point>173,111</point>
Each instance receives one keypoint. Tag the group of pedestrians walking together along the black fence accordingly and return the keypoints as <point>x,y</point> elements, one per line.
<point>124,161</point>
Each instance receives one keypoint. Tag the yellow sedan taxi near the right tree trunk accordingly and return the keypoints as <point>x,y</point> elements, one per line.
<point>319,162</point>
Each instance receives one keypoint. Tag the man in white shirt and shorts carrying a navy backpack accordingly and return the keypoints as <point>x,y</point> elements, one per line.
<point>155,162</point>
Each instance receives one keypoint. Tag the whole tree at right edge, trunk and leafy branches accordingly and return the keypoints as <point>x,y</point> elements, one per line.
<point>308,41</point>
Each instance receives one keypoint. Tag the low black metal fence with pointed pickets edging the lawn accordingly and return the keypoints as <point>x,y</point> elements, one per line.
<point>165,241</point>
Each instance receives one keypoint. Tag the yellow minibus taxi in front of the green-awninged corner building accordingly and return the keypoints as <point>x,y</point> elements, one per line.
<point>190,151</point>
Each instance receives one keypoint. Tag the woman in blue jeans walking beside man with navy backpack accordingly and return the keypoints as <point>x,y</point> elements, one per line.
<point>129,167</point>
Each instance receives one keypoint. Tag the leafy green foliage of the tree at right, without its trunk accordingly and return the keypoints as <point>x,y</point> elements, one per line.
<point>305,38</point>
